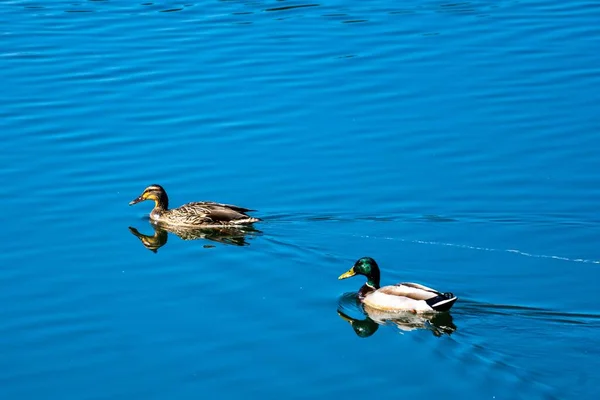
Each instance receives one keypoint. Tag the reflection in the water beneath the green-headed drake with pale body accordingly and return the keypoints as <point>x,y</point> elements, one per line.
<point>439,323</point>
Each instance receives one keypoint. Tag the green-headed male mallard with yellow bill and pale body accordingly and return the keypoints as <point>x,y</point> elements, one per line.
<point>400,297</point>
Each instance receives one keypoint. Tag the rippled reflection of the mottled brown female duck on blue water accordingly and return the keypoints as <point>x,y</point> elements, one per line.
<point>227,235</point>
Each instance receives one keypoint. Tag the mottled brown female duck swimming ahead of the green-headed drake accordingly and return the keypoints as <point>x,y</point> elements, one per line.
<point>197,214</point>
